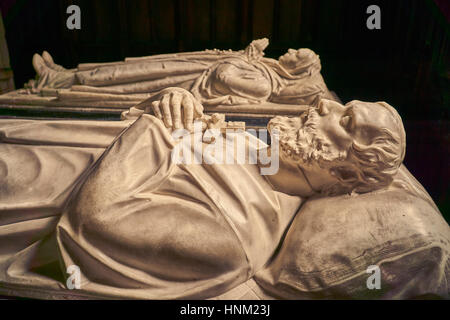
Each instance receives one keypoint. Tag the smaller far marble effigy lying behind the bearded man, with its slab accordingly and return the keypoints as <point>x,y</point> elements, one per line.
<point>224,81</point>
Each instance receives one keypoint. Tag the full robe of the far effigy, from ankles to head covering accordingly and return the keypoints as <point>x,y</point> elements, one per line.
<point>206,75</point>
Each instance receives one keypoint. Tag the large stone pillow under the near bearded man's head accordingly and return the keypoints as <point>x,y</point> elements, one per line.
<point>332,242</point>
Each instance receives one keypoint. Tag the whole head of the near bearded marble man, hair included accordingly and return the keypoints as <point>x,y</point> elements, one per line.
<point>361,144</point>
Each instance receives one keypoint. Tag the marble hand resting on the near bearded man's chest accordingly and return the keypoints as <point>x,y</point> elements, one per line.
<point>176,107</point>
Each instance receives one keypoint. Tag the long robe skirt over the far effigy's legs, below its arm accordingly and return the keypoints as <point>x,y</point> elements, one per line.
<point>136,77</point>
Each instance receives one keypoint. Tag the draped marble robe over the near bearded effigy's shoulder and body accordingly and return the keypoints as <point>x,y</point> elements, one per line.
<point>137,224</point>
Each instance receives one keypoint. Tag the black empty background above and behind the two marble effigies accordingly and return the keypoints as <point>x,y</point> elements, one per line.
<point>406,63</point>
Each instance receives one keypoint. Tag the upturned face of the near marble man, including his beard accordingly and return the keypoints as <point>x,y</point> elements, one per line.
<point>325,133</point>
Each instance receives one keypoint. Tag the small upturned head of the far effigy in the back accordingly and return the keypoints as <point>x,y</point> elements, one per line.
<point>299,61</point>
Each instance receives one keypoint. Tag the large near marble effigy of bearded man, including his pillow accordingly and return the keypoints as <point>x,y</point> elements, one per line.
<point>107,199</point>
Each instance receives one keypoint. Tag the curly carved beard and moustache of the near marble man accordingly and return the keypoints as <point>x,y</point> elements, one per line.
<point>301,142</point>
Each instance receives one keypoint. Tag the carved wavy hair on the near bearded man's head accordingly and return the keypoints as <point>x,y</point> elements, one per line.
<point>371,167</point>
